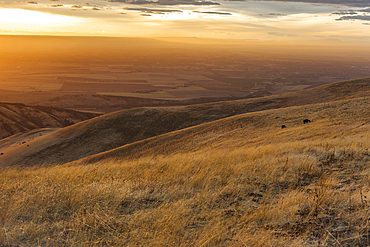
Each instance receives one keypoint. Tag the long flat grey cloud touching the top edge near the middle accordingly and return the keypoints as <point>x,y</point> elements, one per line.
<point>167,2</point>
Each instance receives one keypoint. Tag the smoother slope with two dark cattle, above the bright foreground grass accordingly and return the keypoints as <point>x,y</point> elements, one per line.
<point>339,119</point>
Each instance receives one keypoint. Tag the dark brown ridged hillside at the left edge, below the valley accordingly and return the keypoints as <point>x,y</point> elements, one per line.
<point>16,118</point>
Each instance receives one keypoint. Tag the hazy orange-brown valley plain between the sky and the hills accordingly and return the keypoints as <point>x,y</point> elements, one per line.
<point>49,69</point>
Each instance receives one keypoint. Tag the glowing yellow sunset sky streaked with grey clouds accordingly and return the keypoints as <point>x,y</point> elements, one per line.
<point>347,20</point>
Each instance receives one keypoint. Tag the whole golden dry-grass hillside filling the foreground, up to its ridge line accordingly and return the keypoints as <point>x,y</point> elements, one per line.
<point>239,181</point>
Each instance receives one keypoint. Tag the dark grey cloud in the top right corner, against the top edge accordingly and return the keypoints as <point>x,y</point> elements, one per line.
<point>351,3</point>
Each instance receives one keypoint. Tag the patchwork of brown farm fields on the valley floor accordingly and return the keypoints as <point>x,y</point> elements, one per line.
<point>106,81</point>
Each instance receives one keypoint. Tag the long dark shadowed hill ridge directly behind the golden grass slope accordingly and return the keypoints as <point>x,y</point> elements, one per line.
<point>120,128</point>
